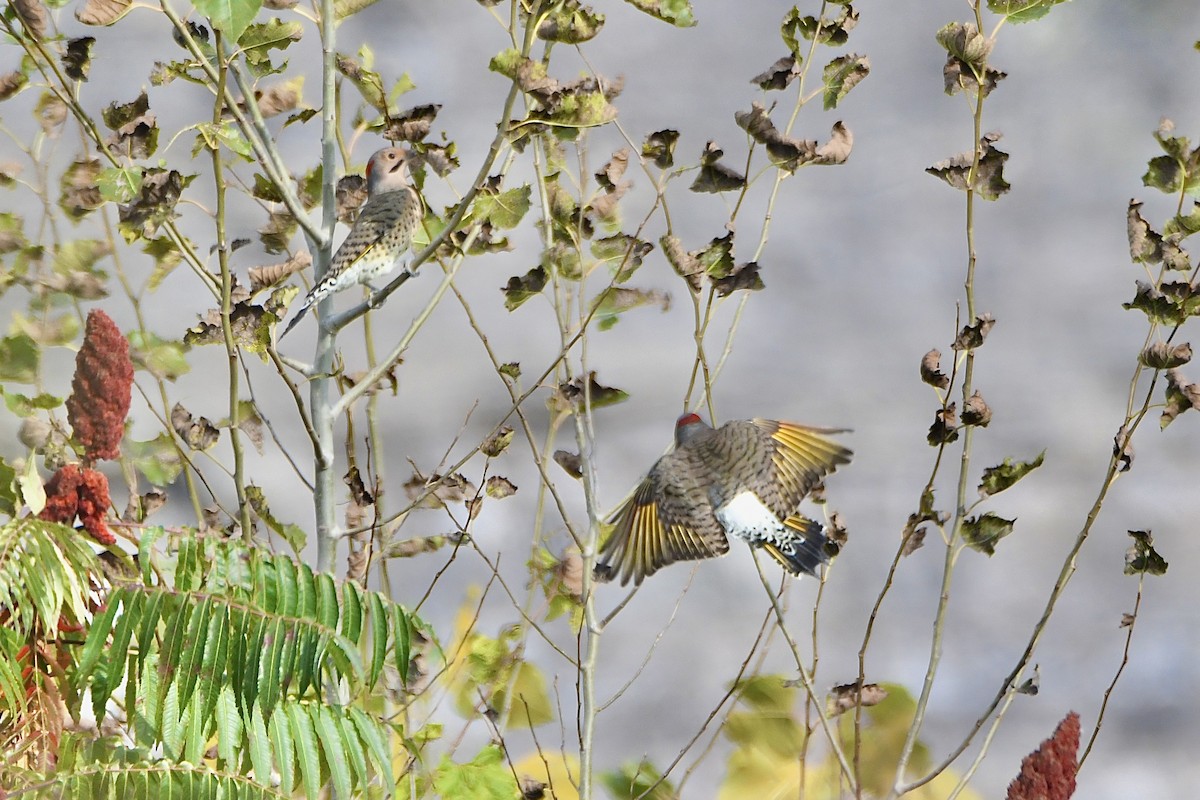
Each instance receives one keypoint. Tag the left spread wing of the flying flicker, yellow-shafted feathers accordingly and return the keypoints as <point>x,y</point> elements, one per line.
<point>647,537</point>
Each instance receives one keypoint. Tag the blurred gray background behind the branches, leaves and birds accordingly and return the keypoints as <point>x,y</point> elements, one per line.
<point>863,269</point>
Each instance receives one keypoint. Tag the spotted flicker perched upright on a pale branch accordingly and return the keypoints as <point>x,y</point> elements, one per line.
<point>382,232</point>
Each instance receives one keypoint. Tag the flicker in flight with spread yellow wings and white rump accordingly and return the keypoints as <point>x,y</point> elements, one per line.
<point>746,479</point>
